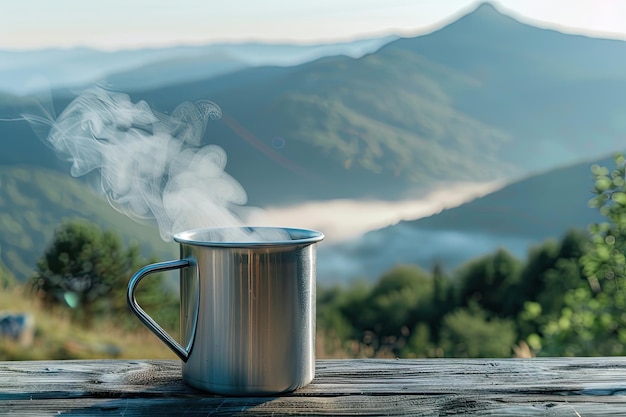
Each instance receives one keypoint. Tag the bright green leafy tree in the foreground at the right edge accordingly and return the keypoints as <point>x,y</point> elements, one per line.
<point>593,320</point>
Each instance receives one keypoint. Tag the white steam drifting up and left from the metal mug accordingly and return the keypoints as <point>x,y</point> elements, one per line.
<point>152,165</point>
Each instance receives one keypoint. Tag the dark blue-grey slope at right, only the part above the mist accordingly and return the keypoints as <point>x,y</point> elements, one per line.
<point>541,206</point>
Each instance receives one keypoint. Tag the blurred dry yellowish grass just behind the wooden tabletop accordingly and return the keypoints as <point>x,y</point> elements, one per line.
<point>57,336</point>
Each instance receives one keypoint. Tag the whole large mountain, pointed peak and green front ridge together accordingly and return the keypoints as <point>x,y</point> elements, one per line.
<point>485,97</point>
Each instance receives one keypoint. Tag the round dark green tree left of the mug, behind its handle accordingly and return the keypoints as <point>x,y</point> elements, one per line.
<point>86,270</point>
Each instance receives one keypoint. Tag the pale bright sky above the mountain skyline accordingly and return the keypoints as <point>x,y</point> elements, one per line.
<point>128,24</point>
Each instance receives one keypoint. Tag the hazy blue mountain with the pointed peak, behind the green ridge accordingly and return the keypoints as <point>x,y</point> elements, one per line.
<point>558,96</point>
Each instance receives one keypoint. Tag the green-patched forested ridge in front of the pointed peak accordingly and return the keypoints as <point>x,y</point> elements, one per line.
<point>292,135</point>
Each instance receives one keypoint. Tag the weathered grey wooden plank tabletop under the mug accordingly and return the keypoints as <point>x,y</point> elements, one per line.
<point>428,387</point>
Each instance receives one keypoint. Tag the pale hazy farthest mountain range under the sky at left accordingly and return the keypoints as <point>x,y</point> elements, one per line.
<point>29,71</point>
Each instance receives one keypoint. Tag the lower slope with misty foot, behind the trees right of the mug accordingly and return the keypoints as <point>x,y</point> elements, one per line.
<point>515,217</point>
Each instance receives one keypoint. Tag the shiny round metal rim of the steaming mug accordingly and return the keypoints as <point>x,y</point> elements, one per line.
<point>298,236</point>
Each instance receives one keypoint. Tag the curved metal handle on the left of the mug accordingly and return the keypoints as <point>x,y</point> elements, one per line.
<point>143,316</point>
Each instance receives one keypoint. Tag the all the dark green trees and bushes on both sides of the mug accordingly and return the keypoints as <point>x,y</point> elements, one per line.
<point>567,298</point>
